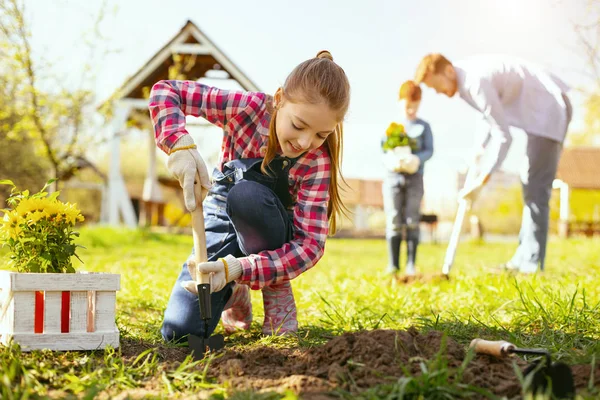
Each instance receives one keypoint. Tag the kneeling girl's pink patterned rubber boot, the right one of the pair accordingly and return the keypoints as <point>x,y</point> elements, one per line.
<point>280,310</point>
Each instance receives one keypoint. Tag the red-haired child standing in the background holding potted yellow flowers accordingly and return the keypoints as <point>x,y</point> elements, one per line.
<point>403,185</point>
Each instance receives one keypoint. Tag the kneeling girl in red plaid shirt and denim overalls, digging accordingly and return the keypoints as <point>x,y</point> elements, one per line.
<point>274,195</point>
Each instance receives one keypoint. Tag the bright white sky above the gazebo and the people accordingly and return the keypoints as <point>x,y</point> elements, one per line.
<point>378,43</point>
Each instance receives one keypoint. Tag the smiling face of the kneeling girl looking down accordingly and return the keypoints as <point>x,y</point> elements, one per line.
<point>302,126</point>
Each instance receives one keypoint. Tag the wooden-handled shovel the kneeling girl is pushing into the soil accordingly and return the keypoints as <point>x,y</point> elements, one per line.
<point>200,345</point>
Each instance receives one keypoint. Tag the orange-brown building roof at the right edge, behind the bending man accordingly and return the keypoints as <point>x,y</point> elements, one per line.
<point>579,167</point>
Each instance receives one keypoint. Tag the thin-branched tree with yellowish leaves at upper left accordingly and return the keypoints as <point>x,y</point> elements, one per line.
<point>52,120</point>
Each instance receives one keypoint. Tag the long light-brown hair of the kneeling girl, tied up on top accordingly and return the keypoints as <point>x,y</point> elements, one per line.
<point>315,80</point>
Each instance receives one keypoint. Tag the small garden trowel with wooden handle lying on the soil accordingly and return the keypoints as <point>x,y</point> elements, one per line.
<point>545,373</point>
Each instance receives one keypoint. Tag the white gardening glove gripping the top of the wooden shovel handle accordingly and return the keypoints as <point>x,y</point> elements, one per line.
<point>184,164</point>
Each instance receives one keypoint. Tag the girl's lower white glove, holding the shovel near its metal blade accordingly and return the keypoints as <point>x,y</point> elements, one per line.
<point>218,278</point>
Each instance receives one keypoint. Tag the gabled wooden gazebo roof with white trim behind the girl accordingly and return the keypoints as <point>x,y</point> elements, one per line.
<point>189,41</point>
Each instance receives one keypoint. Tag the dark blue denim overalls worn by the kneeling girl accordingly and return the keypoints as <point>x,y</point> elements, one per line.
<point>245,212</point>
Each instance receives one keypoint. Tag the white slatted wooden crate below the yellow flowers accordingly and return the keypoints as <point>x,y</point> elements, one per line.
<point>78,310</point>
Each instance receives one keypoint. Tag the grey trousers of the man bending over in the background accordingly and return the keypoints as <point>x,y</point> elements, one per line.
<point>537,175</point>
